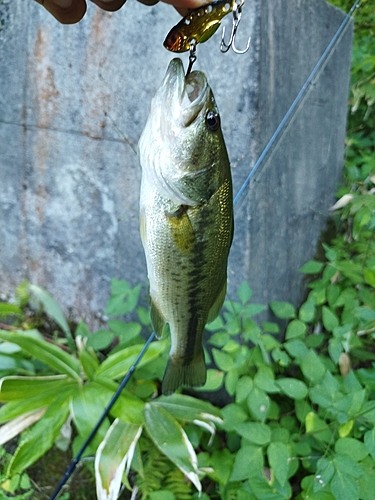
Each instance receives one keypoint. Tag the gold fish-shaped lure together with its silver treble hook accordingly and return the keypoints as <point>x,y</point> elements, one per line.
<point>200,24</point>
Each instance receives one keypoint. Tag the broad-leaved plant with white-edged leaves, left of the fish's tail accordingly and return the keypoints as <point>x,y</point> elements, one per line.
<point>77,386</point>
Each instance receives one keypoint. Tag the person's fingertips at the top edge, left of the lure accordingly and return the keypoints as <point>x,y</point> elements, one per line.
<point>72,11</point>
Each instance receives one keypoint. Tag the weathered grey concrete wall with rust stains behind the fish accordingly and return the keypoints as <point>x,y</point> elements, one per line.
<point>69,182</point>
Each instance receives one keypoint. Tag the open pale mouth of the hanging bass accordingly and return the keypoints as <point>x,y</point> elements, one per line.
<point>185,96</point>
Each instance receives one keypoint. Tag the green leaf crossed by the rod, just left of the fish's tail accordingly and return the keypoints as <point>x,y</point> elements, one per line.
<point>118,364</point>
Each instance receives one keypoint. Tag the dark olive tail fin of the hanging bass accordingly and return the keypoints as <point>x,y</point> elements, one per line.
<point>179,372</point>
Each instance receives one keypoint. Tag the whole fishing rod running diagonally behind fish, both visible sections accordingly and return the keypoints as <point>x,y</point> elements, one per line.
<point>273,141</point>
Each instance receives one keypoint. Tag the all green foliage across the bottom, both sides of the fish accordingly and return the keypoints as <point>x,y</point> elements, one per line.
<point>301,421</point>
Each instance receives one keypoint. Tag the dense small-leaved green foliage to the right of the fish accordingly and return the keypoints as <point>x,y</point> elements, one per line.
<point>298,411</point>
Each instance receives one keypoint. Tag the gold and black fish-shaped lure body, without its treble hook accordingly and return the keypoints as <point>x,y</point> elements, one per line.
<point>199,25</point>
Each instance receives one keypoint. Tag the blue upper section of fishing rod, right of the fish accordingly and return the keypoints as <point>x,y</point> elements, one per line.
<point>297,101</point>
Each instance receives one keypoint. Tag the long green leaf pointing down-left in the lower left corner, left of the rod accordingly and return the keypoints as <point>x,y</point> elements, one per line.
<point>40,437</point>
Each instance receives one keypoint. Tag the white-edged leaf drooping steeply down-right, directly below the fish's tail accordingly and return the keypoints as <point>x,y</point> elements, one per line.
<point>172,441</point>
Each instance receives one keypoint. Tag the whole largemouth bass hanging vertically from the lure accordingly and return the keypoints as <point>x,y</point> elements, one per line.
<point>186,218</point>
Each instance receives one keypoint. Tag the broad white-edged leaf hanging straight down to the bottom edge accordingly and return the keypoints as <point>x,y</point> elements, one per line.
<point>115,451</point>
